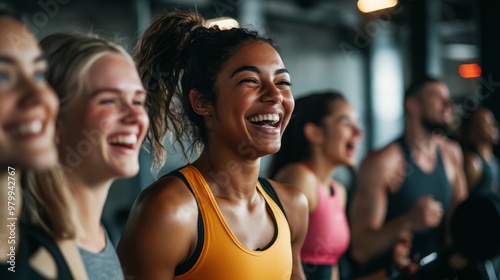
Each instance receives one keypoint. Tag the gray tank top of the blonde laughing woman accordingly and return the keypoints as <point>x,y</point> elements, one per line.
<point>103,265</point>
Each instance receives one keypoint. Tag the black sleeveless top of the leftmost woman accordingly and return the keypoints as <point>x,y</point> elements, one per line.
<point>30,240</point>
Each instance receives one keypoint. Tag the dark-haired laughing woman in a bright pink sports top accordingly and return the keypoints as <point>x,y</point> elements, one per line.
<point>323,134</point>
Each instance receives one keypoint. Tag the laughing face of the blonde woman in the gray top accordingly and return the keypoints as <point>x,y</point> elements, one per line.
<point>101,131</point>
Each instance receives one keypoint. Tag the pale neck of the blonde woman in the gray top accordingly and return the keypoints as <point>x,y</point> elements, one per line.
<point>90,197</point>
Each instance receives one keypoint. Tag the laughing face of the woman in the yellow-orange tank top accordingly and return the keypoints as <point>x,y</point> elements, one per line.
<point>254,101</point>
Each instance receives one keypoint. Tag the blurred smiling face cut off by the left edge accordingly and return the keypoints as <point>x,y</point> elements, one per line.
<point>28,106</point>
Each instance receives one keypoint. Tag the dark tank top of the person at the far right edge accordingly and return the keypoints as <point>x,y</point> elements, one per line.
<point>489,182</point>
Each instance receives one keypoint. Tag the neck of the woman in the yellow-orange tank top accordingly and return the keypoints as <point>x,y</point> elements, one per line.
<point>228,177</point>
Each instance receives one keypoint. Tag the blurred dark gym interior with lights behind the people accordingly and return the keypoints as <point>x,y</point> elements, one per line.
<point>369,50</point>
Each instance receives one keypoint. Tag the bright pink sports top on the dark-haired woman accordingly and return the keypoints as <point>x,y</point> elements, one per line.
<point>328,234</point>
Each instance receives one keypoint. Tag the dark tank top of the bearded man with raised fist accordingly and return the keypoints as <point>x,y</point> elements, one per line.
<point>417,184</point>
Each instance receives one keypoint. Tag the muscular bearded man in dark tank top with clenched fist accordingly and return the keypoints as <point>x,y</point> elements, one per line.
<point>406,192</point>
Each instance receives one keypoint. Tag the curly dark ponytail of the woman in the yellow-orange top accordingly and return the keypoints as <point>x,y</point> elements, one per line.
<point>157,56</point>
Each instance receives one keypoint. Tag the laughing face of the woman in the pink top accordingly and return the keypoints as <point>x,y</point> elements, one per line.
<point>341,134</point>
